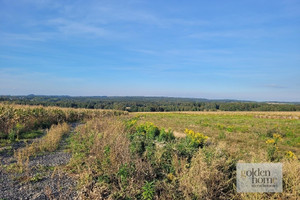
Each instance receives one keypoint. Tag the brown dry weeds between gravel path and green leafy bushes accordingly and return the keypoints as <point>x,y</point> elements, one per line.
<point>104,151</point>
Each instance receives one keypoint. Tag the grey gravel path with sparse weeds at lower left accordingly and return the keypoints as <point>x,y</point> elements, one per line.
<point>43,180</point>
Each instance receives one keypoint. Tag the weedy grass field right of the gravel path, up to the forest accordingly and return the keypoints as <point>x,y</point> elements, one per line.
<point>183,155</point>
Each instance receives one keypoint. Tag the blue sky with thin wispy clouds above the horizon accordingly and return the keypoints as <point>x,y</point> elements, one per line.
<point>242,49</point>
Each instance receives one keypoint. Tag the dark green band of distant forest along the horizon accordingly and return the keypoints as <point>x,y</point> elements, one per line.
<point>150,104</point>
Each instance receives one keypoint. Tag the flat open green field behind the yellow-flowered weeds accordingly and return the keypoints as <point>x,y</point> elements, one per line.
<point>245,132</point>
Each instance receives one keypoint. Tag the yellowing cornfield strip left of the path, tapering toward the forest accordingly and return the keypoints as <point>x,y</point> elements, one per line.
<point>15,119</point>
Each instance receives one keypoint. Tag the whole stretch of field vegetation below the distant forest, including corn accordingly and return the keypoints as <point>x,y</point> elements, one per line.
<point>119,155</point>
